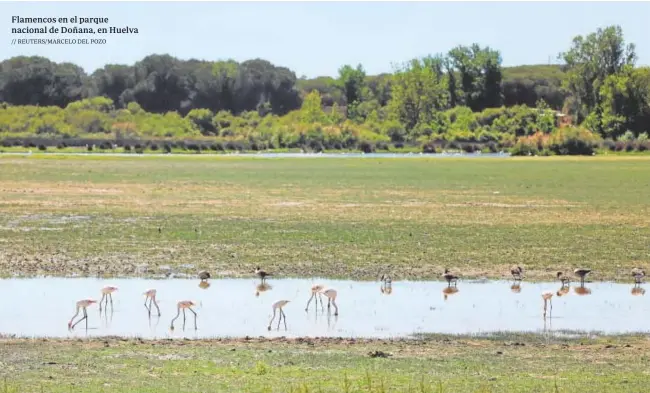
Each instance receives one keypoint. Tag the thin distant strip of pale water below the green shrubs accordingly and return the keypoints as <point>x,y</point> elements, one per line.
<point>280,155</point>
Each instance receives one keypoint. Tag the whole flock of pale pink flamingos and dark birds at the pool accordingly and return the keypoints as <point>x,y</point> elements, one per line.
<point>319,291</point>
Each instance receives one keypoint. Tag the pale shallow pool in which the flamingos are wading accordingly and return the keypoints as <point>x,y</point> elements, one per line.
<point>230,307</point>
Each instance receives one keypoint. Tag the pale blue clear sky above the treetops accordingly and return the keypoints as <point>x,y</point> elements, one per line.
<point>317,38</point>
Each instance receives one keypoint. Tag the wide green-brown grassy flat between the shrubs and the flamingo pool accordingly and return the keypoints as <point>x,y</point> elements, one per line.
<point>352,218</point>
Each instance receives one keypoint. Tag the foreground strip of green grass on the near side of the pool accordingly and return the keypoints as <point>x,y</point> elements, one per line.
<point>435,364</point>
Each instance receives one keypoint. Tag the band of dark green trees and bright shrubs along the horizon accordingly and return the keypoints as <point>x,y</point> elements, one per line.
<point>463,99</point>
